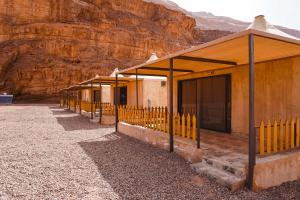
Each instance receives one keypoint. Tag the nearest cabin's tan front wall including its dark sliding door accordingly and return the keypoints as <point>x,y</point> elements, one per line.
<point>276,94</point>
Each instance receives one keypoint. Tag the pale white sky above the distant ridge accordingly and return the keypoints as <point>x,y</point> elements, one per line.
<point>278,12</point>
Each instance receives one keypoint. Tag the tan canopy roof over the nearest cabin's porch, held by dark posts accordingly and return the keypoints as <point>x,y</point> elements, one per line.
<point>226,52</point>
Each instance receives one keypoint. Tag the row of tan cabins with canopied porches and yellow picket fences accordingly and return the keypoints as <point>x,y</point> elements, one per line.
<point>232,103</point>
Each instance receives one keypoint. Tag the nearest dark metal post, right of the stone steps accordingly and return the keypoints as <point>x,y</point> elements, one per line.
<point>252,134</point>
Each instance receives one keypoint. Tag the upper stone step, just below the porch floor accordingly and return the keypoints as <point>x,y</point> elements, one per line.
<point>237,169</point>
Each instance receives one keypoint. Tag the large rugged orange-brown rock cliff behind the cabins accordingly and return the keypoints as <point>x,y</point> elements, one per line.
<point>47,45</point>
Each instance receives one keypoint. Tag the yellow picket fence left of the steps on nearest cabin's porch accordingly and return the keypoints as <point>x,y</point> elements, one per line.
<point>158,118</point>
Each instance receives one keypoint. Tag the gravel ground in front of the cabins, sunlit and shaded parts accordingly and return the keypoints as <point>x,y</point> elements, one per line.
<point>47,153</point>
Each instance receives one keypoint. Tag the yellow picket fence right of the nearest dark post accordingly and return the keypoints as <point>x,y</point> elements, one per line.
<point>279,136</point>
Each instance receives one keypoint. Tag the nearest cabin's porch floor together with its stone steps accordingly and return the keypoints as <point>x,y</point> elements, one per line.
<point>225,158</point>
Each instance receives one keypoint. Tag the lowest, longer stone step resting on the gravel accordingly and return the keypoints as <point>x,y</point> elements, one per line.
<point>224,178</point>
